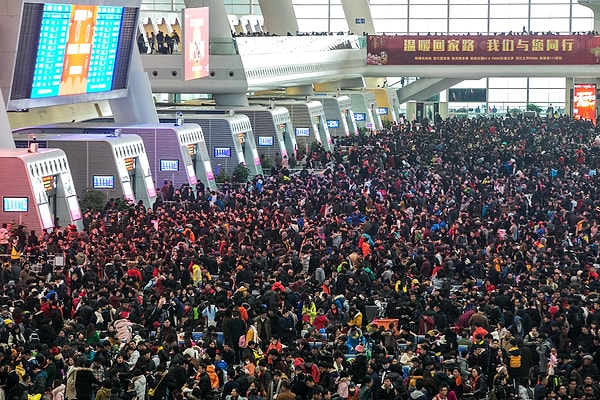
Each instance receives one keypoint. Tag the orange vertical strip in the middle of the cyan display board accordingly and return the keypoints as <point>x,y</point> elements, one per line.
<point>78,50</point>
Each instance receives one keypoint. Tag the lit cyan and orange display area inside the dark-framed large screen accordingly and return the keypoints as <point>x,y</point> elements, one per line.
<point>77,49</point>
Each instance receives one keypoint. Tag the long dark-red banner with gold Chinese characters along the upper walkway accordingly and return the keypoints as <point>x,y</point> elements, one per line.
<point>483,49</point>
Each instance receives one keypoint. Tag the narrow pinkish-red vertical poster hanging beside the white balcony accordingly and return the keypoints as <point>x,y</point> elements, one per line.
<point>195,38</point>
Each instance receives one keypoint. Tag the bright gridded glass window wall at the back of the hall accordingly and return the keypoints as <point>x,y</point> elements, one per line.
<point>448,17</point>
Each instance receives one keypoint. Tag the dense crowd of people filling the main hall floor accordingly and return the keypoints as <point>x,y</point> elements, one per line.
<point>456,259</point>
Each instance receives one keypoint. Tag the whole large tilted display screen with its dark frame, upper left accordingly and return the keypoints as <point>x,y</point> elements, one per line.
<point>70,53</point>
